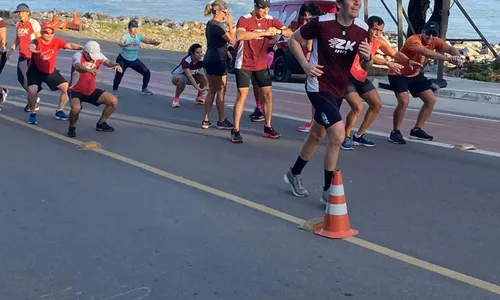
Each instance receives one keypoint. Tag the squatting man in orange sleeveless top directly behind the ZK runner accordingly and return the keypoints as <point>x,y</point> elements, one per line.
<point>360,87</point>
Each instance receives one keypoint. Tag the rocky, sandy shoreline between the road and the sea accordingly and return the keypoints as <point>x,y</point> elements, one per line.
<point>178,36</point>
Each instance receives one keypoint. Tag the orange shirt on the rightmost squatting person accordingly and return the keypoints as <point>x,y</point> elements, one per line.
<point>409,47</point>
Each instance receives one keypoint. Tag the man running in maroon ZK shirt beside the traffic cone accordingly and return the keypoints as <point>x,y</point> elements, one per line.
<point>337,38</point>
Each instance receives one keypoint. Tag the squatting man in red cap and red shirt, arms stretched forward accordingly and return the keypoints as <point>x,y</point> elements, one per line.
<point>43,69</point>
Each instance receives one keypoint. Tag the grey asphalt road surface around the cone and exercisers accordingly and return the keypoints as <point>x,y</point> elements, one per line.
<point>98,225</point>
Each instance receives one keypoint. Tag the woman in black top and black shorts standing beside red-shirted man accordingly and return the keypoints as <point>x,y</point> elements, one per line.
<point>218,34</point>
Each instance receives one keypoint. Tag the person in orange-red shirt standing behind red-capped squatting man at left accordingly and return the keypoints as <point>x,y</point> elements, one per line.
<point>27,29</point>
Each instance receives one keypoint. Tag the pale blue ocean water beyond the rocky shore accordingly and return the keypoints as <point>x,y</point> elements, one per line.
<point>482,12</point>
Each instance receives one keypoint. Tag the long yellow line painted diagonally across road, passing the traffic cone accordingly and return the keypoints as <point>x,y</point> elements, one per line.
<point>271,211</point>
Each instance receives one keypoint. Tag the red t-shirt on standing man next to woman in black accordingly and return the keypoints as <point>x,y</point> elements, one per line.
<point>252,54</point>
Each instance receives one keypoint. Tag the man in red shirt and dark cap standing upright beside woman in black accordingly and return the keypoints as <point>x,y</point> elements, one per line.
<point>254,31</point>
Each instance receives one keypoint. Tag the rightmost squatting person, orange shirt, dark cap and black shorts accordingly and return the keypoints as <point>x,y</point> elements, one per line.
<point>420,48</point>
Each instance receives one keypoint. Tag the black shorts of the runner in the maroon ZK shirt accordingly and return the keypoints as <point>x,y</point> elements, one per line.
<point>326,108</point>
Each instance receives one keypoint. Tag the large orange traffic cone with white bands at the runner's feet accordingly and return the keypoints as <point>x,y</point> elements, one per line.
<point>336,221</point>
